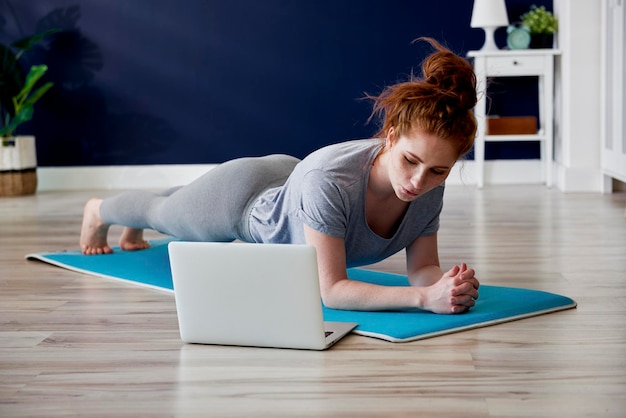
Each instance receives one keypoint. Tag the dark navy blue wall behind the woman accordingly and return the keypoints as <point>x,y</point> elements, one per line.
<point>203,81</point>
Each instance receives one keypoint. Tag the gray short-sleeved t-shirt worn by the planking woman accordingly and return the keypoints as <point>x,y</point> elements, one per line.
<point>326,191</point>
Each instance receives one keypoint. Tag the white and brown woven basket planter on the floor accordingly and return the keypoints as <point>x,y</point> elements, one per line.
<point>18,166</point>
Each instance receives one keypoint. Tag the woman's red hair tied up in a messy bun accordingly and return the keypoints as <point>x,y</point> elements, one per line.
<point>440,102</point>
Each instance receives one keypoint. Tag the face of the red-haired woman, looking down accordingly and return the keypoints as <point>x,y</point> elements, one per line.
<point>418,162</point>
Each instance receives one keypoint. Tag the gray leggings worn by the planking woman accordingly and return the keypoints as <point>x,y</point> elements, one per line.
<point>215,207</point>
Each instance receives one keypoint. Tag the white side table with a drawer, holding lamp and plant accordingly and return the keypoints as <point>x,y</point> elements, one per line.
<point>518,63</point>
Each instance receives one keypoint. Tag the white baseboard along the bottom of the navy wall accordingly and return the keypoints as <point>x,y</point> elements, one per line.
<point>166,175</point>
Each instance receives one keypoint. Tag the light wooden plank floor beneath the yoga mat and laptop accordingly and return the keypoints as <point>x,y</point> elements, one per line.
<point>72,344</point>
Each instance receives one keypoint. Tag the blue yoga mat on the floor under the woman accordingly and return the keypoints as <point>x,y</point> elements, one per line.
<point>496,304</point>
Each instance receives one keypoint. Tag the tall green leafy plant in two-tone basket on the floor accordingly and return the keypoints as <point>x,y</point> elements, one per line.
<point>18,94</point>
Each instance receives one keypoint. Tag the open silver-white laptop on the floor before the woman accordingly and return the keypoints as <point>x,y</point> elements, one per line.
<point>264,295</point>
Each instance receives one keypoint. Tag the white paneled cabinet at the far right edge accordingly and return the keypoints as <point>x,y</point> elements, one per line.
<point>613,93</point>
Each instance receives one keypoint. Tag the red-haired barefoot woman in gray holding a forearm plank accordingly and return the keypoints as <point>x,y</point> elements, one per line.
<point>356,202</point>
